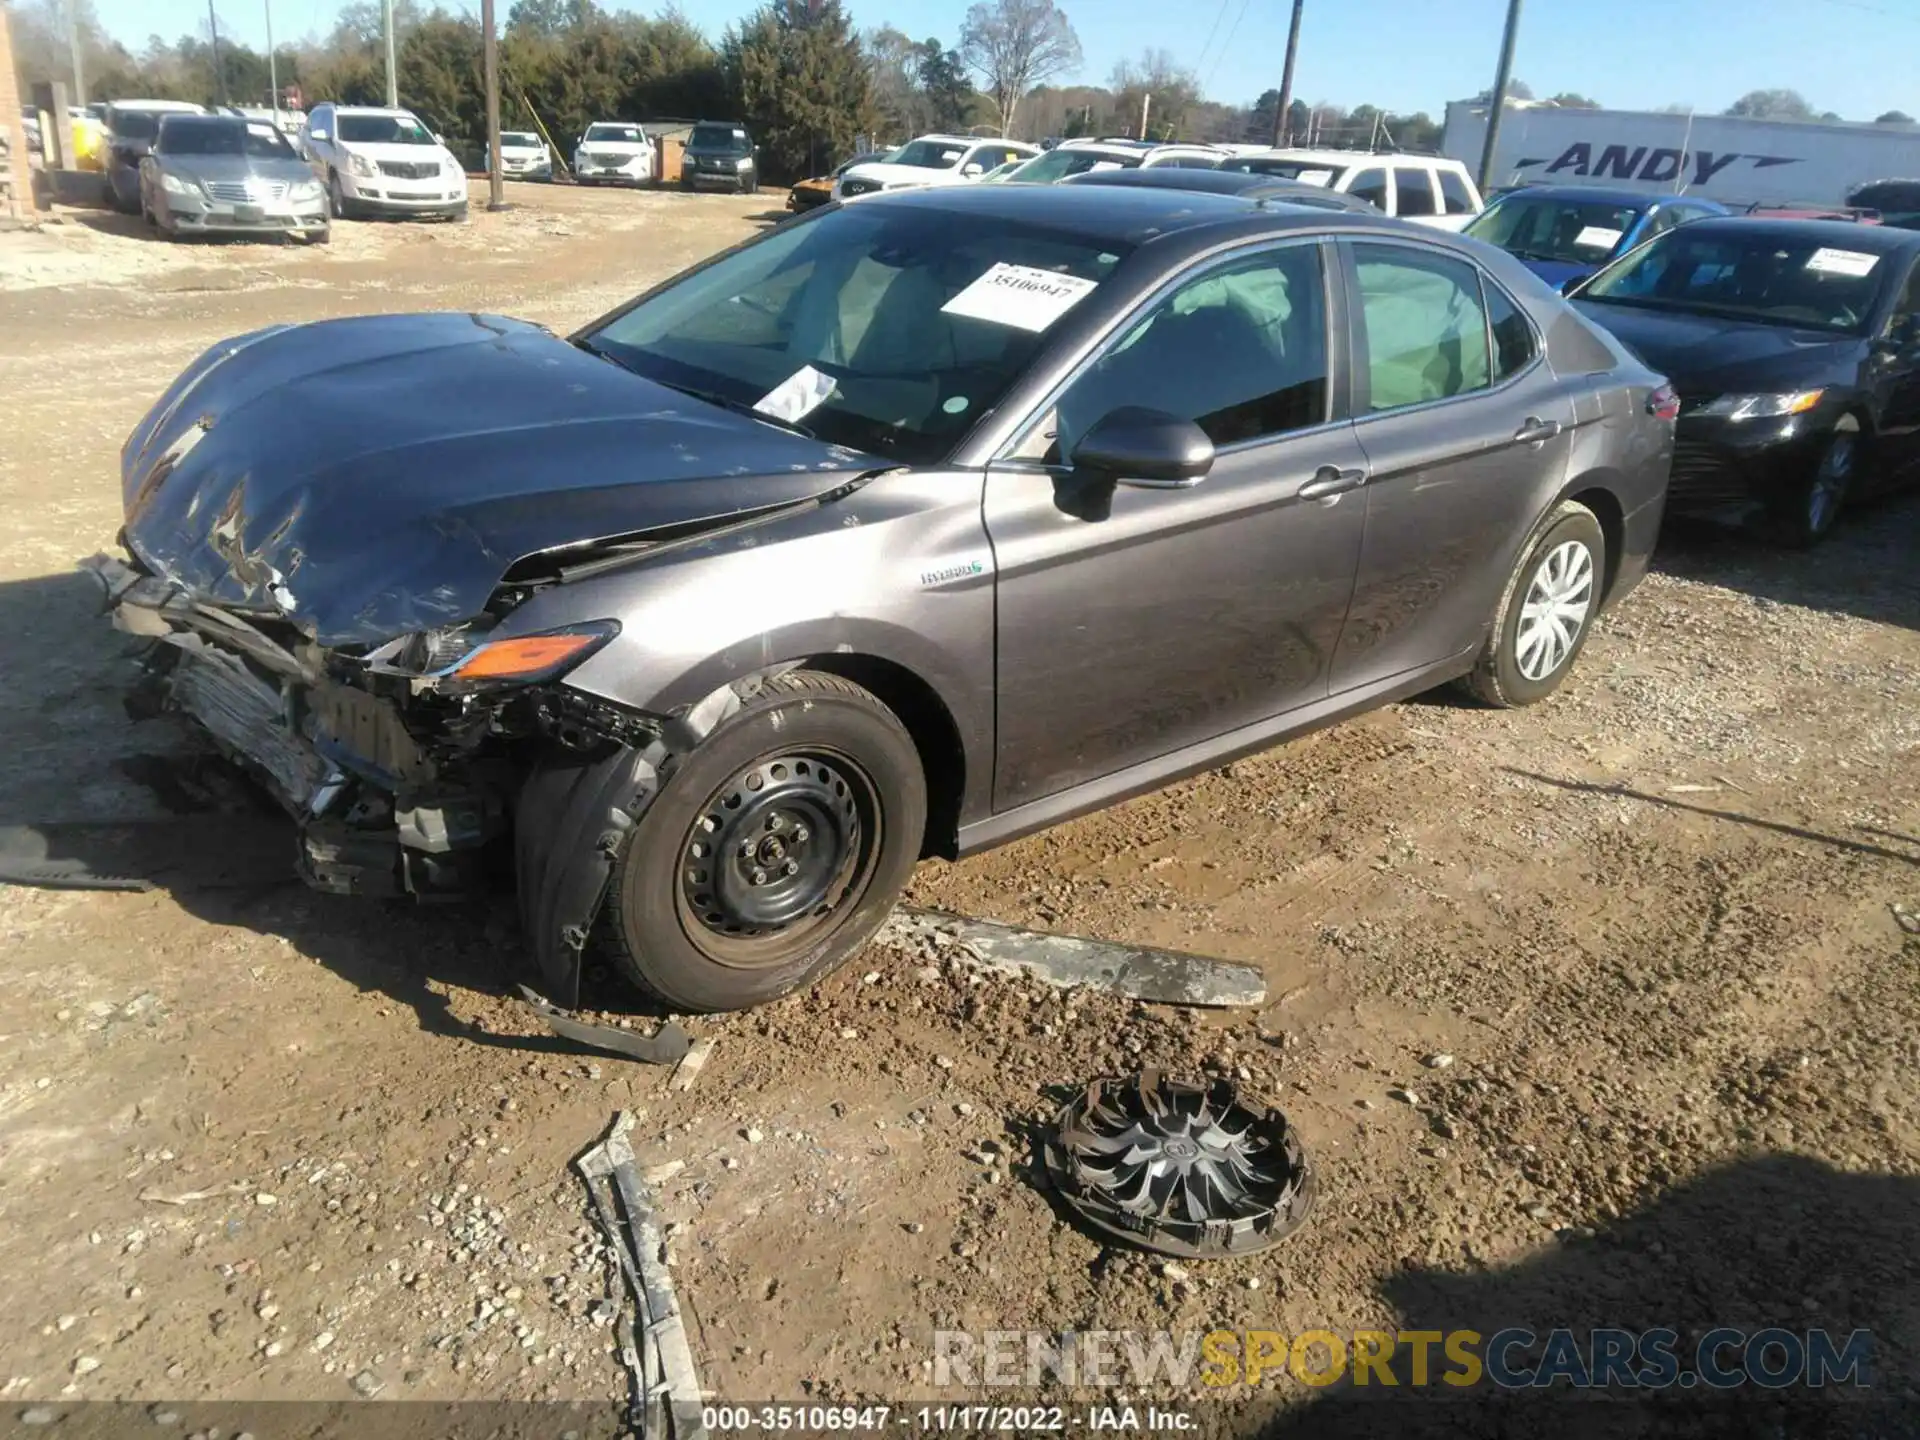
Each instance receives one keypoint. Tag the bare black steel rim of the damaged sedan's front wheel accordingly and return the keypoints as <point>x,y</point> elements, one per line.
<point>773,855</point>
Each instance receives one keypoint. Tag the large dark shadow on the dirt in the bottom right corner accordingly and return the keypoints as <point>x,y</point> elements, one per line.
<point>1773,1243</point>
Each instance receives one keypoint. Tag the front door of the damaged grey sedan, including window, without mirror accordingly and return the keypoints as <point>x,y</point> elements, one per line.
<point>1136,621</point>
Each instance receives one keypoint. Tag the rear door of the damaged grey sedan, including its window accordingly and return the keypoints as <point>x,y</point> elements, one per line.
<point>1468,437</point>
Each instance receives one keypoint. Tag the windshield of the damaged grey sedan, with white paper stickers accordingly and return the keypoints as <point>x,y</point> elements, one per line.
<point>888,331</point>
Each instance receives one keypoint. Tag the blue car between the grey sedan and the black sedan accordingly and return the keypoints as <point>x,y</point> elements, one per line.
<point>1568,231</point>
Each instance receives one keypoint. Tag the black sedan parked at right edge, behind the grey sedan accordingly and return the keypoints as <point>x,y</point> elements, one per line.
<point>1796,352</point>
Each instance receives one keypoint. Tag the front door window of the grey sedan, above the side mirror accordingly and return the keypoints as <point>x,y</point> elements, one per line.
<point>1241,352</point>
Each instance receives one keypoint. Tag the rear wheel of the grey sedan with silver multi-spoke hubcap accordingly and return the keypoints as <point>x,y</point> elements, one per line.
<point>1545,613</point>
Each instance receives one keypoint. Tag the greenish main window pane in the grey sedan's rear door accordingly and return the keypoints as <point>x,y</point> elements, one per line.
<point>1424,325</point>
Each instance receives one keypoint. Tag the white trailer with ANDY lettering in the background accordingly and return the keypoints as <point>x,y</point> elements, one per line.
<point>1739,162</point>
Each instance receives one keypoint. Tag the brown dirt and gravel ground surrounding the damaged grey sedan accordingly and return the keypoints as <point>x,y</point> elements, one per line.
<point>1654,924</point>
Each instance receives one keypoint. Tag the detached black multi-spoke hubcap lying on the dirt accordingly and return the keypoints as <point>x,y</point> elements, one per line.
<point>1180,1168</point>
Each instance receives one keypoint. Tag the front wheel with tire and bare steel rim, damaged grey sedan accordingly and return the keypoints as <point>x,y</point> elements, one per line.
<point>777,850</point>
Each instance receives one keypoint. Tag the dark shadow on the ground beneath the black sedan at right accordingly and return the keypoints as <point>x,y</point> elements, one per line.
<point>1869,567</point>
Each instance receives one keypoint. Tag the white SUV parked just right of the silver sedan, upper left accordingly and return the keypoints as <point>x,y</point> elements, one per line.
<point>383,162</point>
